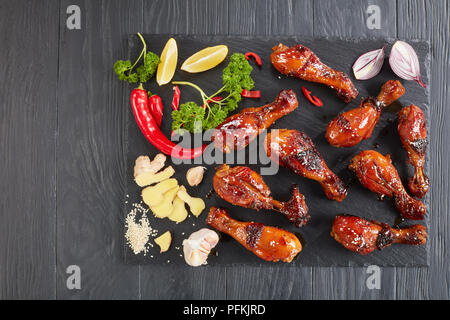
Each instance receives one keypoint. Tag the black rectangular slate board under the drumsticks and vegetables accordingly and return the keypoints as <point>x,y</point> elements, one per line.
<point>319,248</point>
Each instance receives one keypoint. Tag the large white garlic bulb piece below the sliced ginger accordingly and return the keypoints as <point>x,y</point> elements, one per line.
<point>198,246</point>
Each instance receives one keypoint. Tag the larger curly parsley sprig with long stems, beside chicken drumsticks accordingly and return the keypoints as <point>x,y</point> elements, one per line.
<point>194,118</point>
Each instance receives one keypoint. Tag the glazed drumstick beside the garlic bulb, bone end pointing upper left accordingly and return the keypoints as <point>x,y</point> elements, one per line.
<point>268,243</point>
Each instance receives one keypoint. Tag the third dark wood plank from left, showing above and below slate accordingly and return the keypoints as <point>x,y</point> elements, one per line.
<point>182,17</point>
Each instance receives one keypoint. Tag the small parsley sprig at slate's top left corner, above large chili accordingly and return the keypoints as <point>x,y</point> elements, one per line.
<point>143,73</point>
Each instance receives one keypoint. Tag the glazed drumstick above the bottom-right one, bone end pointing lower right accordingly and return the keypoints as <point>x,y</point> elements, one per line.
<point>376,173</point>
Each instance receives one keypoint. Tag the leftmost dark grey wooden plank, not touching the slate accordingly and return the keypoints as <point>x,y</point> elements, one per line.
<point>28,55</point>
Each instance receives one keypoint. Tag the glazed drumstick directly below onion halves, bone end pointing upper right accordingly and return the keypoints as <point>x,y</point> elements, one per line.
<point>349,128</point>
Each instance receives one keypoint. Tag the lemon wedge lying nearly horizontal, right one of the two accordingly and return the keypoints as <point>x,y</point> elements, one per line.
<point>205,59</point>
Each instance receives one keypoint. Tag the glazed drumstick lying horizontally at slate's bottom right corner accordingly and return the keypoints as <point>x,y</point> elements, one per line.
<point>364,236</point>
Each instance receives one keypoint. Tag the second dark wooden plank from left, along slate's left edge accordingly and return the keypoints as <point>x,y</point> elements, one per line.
<point>90,157</point>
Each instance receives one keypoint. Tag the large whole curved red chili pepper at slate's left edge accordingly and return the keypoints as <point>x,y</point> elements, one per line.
<point>147,124</point>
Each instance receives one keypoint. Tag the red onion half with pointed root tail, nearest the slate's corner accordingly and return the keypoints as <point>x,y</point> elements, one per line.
<point>404,62</point>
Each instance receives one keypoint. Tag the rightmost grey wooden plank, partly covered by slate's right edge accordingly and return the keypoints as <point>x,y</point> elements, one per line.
<point>430,20</point>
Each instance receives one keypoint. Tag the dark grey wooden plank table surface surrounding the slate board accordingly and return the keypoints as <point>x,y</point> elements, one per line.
<point>62,123</point>
